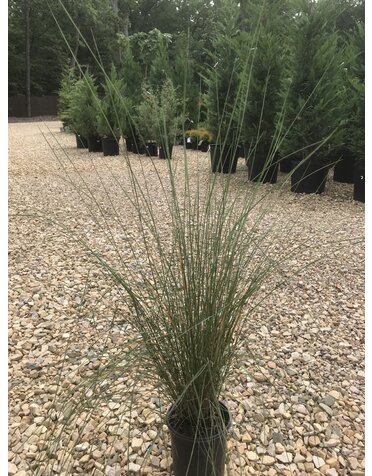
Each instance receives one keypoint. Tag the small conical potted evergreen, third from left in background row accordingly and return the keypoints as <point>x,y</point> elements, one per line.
<point>112,116</point>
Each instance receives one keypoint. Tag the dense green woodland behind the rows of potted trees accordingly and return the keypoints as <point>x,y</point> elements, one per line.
<point>188,23</point>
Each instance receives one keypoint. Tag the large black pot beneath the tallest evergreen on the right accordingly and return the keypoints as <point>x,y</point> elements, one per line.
<point>309,176</point>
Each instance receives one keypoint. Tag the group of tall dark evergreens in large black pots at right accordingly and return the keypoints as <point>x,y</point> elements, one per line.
<point>307,108</point>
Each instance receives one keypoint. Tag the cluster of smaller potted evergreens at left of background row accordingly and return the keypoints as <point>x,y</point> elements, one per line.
<point>99,120</point>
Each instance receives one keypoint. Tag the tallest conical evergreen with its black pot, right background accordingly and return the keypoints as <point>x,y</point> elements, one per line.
<point>314,112</point>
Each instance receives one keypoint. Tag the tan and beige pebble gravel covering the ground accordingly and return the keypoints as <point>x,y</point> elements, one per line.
<point>297,406</point>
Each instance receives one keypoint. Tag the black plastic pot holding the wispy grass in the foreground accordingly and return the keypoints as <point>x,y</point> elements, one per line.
<point>199,456</point>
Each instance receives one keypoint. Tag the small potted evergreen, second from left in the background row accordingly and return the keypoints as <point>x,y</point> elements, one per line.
<point>85,109</point>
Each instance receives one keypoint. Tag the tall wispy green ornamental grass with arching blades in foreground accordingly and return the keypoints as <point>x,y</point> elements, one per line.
<point>185,285</point>
